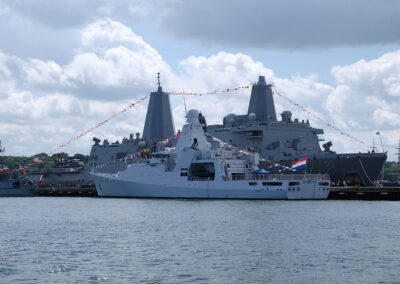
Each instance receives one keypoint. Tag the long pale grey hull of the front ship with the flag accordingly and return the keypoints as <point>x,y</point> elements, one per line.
<point>112,187</point>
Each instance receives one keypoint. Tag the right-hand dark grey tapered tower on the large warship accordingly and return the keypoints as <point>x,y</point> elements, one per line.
<point>261,101</point>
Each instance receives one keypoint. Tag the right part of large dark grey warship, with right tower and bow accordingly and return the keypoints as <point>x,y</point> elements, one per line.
<point>290,139</point>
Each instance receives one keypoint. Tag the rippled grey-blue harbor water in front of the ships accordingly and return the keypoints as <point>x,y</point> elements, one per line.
<point>94,240</point>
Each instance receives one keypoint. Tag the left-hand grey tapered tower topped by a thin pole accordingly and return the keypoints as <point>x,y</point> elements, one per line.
<point>159,124</point>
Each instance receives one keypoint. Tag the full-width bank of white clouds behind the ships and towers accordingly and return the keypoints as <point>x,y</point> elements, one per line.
<point>45,102</point>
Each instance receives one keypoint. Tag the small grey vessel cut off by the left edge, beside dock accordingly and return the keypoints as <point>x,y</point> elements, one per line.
<point>15,183</point>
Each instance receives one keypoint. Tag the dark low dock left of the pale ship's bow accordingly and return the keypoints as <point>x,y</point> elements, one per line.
<point>67,191</point>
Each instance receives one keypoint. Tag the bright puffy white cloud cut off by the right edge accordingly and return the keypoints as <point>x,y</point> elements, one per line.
<point>369,91</point>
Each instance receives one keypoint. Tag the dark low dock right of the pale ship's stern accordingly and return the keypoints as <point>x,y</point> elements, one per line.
<point>364,193</point>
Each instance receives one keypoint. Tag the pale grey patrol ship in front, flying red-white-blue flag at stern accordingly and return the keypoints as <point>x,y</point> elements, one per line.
<point>194,170</point>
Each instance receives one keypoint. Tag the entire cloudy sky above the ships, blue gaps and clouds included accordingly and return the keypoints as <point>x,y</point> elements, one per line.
<point>67,65</point>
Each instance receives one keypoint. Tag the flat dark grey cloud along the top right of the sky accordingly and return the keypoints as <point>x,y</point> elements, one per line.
<point>283,24</point>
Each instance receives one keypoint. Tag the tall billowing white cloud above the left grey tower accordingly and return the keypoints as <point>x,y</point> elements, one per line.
<point>112,60</point>
